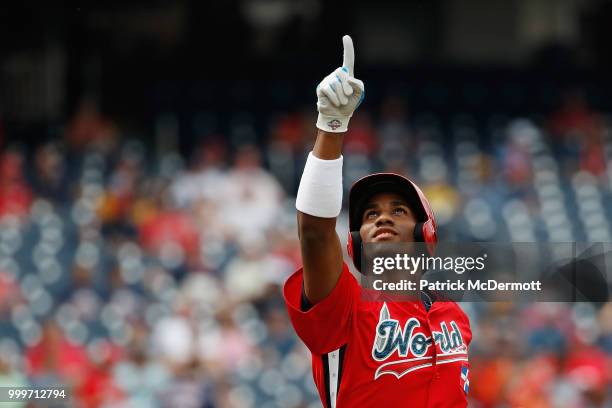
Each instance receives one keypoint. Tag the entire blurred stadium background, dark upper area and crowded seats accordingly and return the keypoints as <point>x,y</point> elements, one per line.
<point>151,153</point>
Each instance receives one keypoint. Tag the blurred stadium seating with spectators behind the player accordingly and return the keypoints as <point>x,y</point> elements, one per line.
<point>137,276</point>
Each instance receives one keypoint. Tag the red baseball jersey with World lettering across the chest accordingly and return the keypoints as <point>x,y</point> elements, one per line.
<point>379,353</point>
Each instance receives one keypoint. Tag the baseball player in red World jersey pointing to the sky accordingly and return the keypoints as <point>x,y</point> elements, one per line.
<point>379,352</point>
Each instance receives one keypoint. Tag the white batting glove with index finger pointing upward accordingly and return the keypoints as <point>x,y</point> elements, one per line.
<point>339,94</point>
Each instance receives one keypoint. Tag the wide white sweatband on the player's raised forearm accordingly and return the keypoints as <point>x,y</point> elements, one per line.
<point>320,191</point>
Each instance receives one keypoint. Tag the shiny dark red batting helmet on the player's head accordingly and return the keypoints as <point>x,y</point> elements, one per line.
<point>366,187</point>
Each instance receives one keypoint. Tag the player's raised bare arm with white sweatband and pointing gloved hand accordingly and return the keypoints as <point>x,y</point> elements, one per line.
<point>319,198</point>
